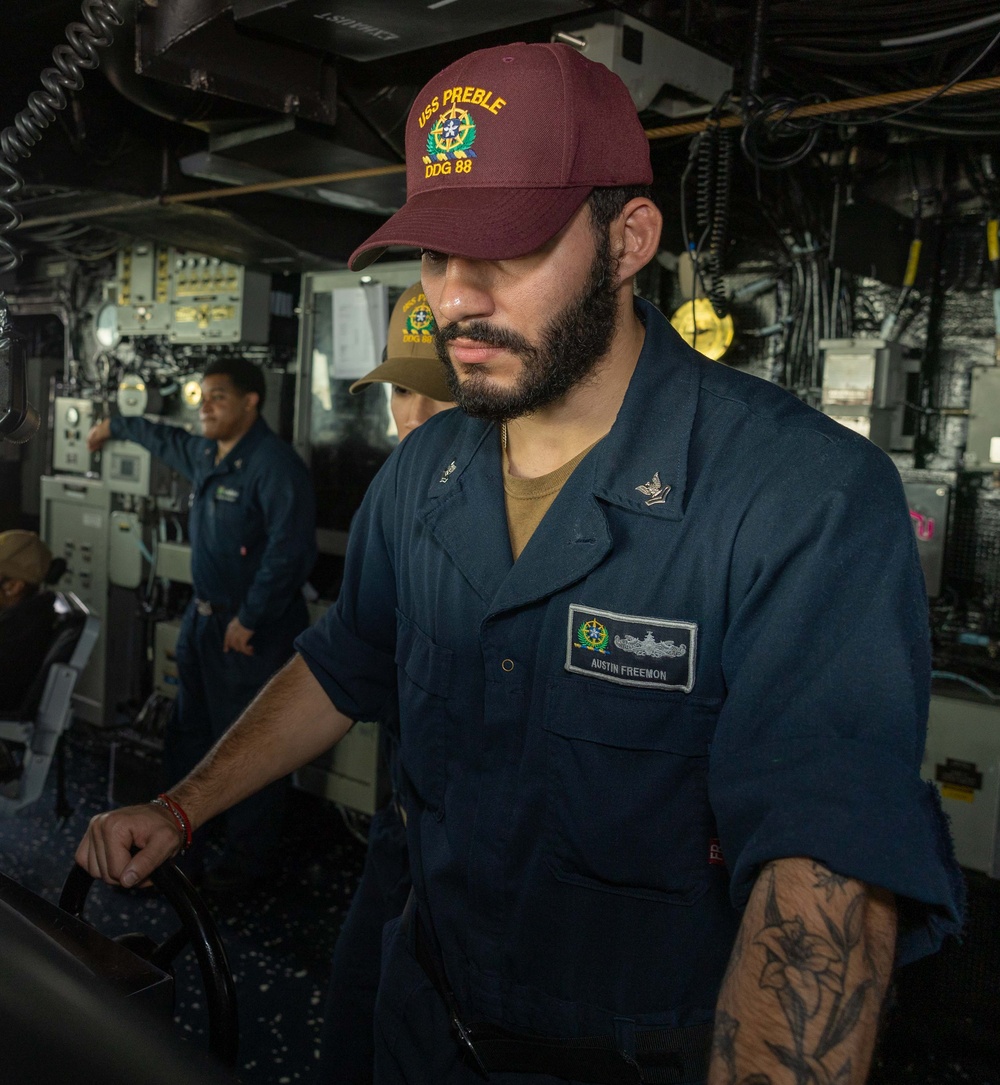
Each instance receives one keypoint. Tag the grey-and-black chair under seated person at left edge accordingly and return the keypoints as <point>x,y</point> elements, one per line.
<point>45,713</point>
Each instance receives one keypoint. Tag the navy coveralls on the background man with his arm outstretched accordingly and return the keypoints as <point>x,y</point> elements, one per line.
<point>253,545</point>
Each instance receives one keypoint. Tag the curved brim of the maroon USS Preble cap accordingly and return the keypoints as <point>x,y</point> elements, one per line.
<point>480,224</point>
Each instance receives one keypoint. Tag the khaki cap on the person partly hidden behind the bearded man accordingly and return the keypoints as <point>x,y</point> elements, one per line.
<point>411,359</point>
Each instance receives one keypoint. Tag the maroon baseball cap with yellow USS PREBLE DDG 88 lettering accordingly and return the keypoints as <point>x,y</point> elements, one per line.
<point>504,146</point>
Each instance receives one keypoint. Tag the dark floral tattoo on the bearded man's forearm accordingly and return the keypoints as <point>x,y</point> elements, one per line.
<point>823,977</point>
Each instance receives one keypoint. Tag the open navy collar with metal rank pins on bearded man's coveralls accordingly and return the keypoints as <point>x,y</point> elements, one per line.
<point>642,466</point>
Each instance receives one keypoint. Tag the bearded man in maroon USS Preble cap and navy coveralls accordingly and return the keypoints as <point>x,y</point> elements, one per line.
<point>661,747</point>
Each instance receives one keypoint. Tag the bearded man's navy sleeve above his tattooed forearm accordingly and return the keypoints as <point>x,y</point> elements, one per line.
<point>827,663</point>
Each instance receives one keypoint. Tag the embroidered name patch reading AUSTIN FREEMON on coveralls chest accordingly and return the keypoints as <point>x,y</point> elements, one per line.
<point>632,650</point>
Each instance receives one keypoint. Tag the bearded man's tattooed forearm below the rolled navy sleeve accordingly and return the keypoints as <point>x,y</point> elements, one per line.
<point>802,999</point>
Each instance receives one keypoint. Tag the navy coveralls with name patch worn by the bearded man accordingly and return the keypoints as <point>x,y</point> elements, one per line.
<point>713,653</point>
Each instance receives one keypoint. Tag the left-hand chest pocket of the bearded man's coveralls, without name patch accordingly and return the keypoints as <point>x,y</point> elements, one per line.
<point>426,678</point>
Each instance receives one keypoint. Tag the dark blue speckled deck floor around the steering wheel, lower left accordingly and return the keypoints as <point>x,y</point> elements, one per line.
<point>279,939</point>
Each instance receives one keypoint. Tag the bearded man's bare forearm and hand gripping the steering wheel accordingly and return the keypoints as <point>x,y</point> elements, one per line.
<point>289,723</point>
